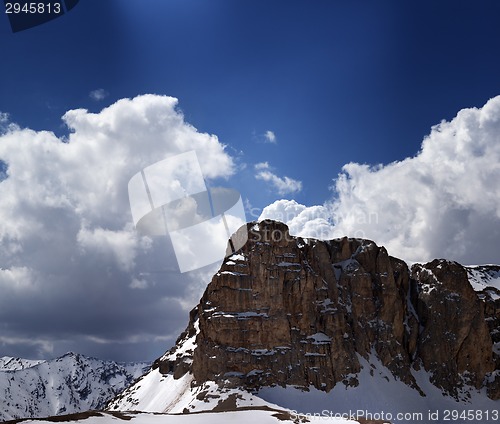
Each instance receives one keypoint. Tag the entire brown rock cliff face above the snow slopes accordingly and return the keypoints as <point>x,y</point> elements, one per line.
<point>289,311</point>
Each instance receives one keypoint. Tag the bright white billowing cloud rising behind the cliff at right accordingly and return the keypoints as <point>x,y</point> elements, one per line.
<point>443,202</point>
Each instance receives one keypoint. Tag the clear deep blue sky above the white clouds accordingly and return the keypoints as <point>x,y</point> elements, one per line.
<point>335,81</point>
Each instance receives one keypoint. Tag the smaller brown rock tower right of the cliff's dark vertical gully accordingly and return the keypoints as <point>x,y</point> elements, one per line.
<point>454,342</point>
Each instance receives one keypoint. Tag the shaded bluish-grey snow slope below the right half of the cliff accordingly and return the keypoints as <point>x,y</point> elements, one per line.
<point>379,395</point>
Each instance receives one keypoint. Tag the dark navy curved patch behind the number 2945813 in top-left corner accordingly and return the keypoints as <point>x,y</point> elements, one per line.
<point>27,14</point>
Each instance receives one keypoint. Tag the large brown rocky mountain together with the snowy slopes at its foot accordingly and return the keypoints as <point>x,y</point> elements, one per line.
<point>335,324</point>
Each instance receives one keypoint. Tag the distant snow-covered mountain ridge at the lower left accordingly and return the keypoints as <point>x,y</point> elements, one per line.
<point>68,384</point>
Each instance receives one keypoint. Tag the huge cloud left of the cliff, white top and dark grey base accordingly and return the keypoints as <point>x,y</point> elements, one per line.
<point>74,270</point>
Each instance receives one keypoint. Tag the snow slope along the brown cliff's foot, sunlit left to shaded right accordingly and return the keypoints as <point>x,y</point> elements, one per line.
<point>379,395</point>
